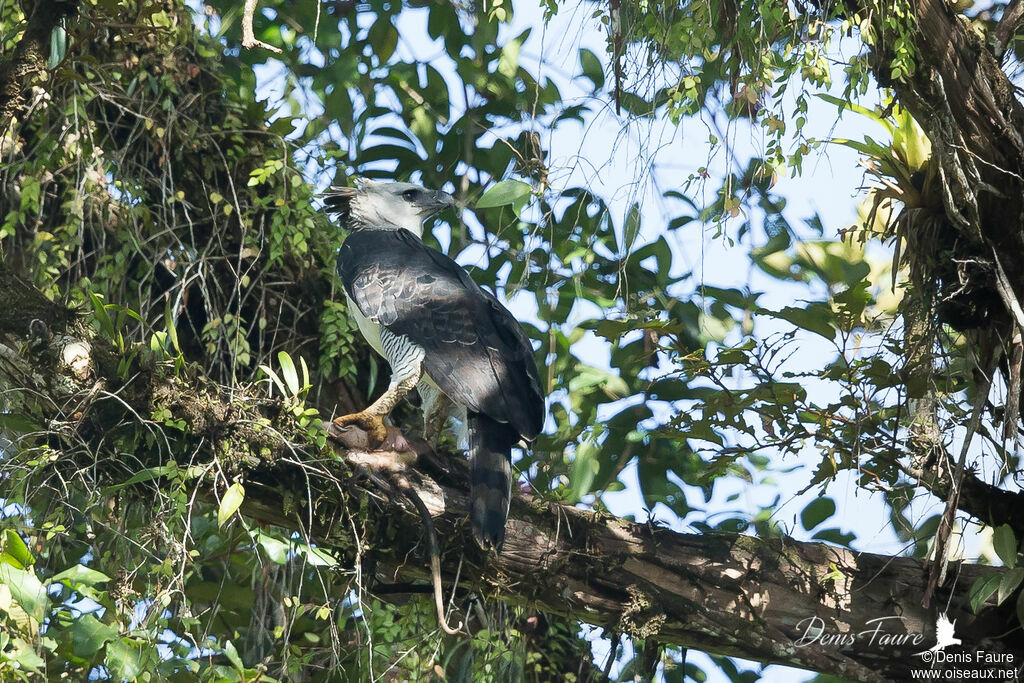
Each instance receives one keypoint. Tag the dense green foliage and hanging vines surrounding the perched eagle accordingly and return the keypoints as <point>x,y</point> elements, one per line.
<point>146,184</point>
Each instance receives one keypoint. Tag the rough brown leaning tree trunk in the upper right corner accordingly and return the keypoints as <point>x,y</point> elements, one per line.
<point>969,109</point>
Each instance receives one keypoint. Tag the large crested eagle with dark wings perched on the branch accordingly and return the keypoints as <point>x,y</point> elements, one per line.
<point>441,333</point>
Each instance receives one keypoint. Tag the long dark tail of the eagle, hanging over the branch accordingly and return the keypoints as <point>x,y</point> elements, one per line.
<point>491,479</point>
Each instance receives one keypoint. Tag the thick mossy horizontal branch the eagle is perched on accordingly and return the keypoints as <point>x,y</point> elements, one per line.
<point>762,600</point>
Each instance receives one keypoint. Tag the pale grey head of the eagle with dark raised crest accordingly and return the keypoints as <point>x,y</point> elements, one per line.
<point>386,206</point>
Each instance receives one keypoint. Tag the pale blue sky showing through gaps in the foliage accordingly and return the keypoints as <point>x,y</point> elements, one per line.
<point>638,161</point>
